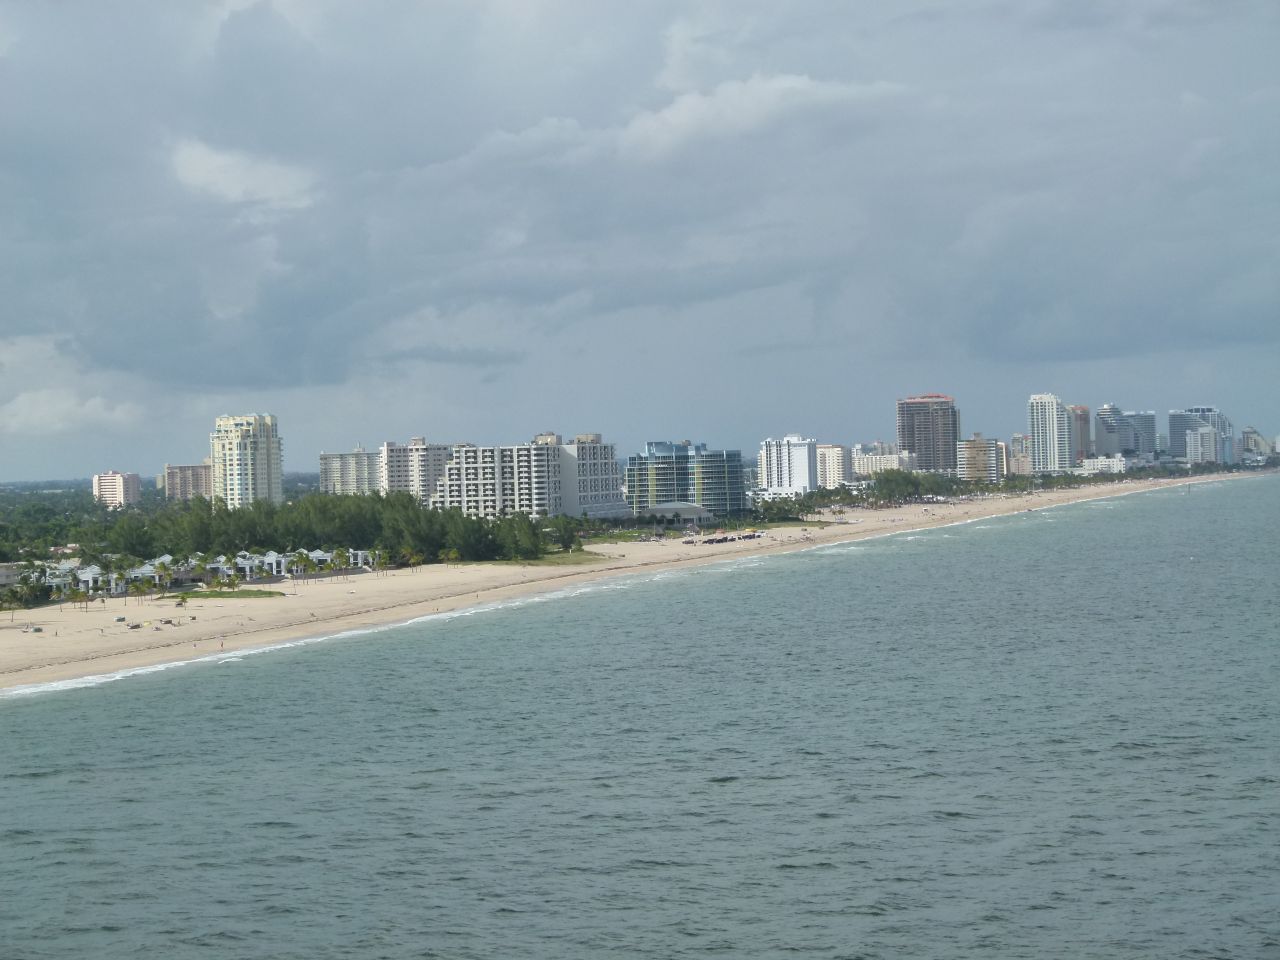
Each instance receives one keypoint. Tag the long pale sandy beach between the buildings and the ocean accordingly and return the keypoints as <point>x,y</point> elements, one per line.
<point>76,643</point>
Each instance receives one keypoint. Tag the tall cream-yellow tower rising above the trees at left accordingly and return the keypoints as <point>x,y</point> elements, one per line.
<point>246,458</point>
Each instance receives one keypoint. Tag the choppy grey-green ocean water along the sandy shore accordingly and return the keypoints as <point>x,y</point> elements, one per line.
<point>1053,734</point>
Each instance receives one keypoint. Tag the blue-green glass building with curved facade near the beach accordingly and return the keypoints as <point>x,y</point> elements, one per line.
<point>683,473</point>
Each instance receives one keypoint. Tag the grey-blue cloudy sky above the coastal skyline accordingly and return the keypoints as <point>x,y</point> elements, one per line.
<point>476,221</point>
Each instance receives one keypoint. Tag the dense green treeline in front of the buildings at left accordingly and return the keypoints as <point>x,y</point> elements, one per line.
<point>396,527</point>
